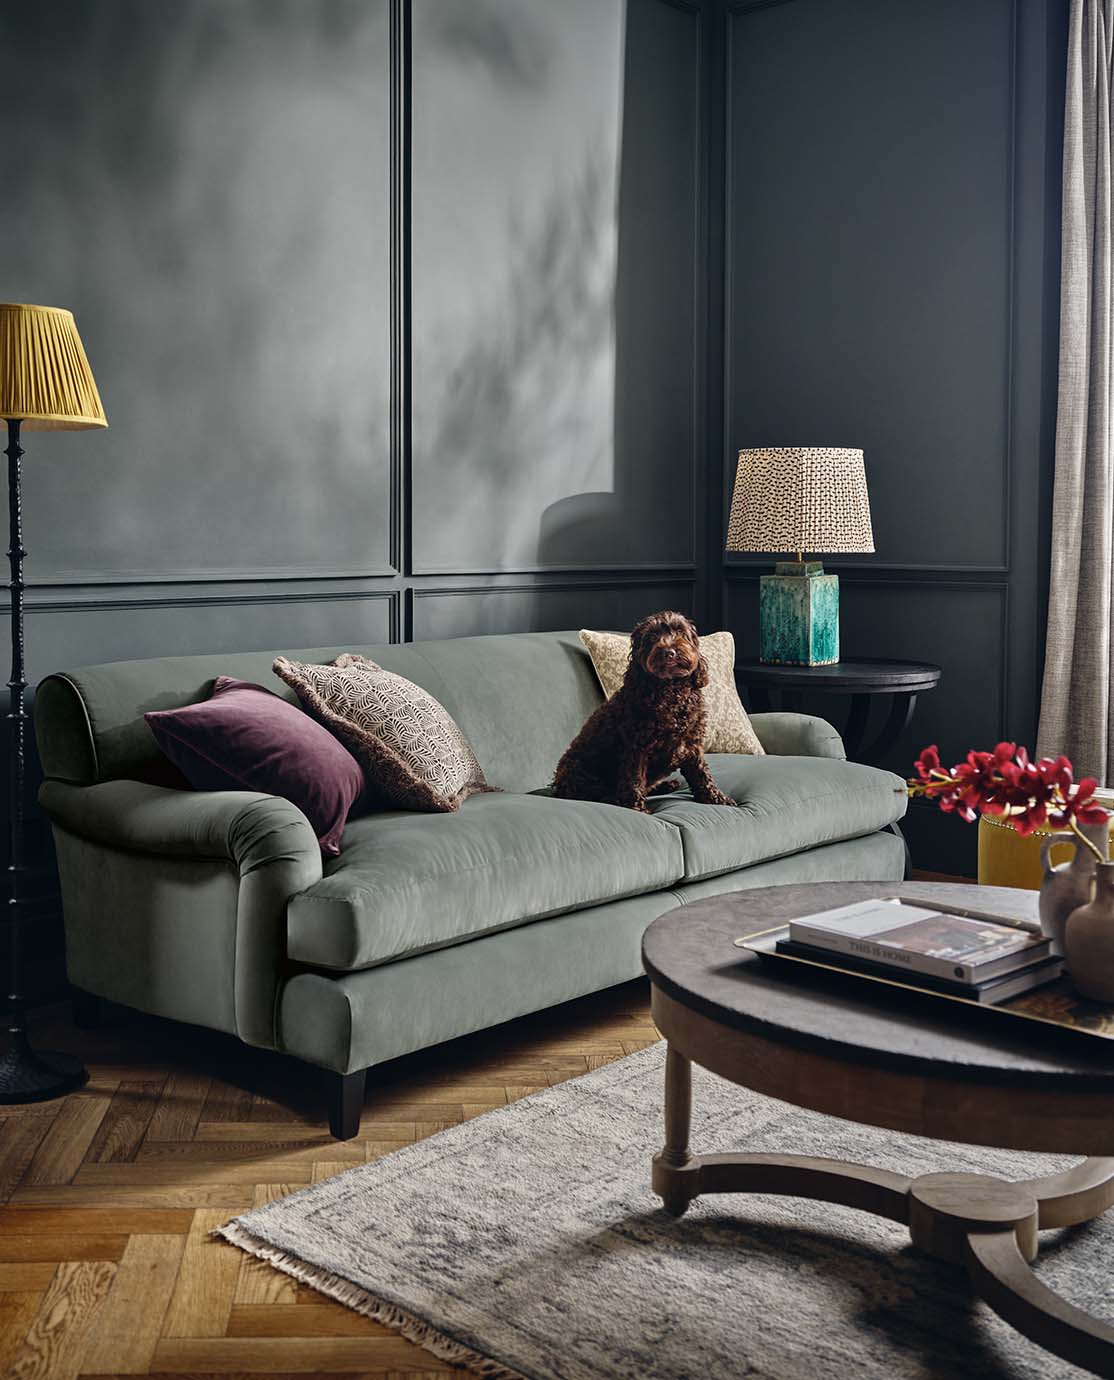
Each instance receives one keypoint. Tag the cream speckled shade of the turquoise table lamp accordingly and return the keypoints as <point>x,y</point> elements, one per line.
<point>801,499</point>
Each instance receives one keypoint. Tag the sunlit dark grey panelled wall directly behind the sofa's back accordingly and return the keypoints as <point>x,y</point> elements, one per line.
<point>386,299</point>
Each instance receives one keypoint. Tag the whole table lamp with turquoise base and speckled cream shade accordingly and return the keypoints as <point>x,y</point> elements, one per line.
<point>800,499</point>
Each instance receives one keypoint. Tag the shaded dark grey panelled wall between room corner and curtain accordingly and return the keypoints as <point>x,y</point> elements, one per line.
<point>892,201</point>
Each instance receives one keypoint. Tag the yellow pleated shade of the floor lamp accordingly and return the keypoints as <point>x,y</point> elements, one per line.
<point>45,377</point>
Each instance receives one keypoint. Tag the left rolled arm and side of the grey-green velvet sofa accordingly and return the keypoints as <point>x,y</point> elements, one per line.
<point>141,891</point>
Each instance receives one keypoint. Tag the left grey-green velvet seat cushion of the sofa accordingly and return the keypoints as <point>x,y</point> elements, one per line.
<point>411,883</point>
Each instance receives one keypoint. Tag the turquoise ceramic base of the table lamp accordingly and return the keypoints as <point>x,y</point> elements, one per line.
<point>800,615</point>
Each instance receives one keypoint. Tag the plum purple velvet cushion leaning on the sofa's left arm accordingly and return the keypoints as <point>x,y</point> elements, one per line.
<point>248,739</point>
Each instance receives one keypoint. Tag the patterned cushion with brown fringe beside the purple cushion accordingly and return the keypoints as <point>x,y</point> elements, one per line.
<point>412,751</point>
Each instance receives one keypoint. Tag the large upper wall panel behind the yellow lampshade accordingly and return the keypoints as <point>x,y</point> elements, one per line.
<point>204,186</point>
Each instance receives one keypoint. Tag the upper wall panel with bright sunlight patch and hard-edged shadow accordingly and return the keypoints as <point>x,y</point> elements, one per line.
<point>554,321</point>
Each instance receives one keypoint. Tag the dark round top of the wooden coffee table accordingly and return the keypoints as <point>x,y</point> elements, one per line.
<point>691,956</point>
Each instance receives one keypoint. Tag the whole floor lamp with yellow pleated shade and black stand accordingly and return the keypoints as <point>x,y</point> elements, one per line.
<point>46,384</point>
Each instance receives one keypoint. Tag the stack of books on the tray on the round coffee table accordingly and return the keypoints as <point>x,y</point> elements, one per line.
<point>979,958</point>
